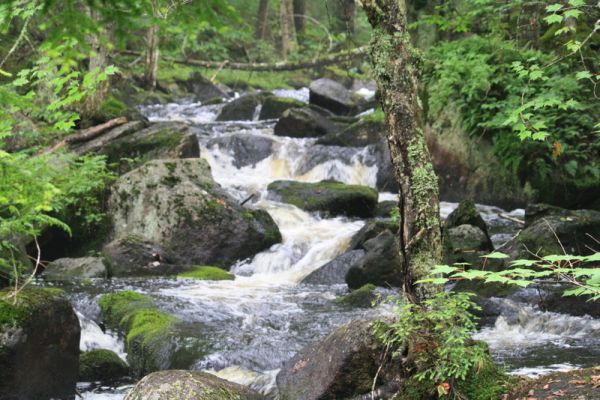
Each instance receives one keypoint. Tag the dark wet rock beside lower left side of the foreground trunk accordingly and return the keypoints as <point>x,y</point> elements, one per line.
<point>381,265</point>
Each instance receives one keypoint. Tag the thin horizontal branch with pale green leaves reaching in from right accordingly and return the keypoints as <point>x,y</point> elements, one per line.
<point>581,272</point>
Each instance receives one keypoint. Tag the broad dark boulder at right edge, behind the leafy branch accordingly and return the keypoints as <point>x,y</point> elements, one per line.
<point>575,230</point>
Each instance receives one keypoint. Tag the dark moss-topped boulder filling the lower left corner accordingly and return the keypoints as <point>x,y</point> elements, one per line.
<point>39,345</point>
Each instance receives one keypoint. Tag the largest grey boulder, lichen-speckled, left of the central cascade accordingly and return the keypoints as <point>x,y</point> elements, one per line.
<point>177,205</point>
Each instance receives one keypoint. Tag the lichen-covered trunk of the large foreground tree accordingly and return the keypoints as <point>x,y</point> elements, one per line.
<point>396,68</point>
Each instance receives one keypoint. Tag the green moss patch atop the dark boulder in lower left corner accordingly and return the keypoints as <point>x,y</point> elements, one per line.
<point>12,314</point>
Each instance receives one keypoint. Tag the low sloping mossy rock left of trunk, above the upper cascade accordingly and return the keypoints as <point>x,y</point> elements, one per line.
<point>359,134</point>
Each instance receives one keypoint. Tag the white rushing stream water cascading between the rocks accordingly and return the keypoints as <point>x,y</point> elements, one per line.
<point>264,316</point>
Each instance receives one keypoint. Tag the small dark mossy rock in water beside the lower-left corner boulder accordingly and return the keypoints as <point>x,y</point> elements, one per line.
<point>101,365</point>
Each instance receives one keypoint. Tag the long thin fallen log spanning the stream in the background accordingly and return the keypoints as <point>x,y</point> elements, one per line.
<point>278,66</point>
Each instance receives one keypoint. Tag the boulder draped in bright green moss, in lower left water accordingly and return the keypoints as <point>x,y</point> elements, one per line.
<point>154,340</point>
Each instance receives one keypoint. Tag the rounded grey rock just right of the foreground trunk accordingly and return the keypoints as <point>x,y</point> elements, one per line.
<point>466,243</point>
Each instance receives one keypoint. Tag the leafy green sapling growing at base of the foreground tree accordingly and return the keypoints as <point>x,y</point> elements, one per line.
<point>437,335</point>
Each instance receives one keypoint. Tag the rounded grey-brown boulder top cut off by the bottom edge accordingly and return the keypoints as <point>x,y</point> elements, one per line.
<point>176,384</point>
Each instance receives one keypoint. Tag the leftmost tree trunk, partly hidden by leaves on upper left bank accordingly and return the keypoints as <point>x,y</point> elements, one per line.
<point>90,107</point>
